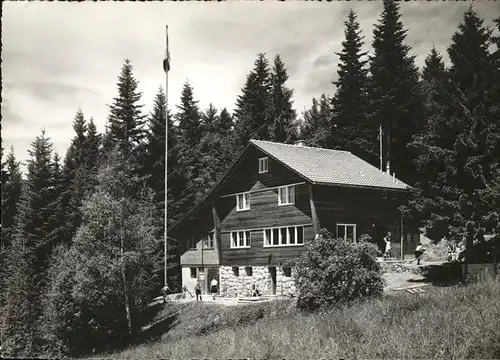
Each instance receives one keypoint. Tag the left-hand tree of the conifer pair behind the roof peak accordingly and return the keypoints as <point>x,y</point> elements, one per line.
<point>252,106</point>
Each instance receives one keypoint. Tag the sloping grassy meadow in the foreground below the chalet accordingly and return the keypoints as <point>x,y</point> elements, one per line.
<point>444,322</point>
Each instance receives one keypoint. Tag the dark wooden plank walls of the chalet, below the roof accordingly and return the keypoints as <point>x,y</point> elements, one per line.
<point>315,207</point>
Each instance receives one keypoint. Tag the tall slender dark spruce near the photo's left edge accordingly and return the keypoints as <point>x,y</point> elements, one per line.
<point>31,248</point>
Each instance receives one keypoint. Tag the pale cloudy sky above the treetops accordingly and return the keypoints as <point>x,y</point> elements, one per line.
<point>61,56</point>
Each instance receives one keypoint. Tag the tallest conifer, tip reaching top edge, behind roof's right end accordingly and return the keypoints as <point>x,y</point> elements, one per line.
<point>394,92</point>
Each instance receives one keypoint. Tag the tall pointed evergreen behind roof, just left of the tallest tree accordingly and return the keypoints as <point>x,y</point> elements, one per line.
<point>350,104</point>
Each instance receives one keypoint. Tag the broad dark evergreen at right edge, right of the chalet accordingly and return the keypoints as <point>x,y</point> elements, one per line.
<point>458,152</point>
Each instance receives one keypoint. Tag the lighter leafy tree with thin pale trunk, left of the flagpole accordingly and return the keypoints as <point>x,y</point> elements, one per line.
<point>114,258</point>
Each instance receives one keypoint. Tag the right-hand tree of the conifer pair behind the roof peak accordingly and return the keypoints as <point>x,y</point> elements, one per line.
<point>281,112</point>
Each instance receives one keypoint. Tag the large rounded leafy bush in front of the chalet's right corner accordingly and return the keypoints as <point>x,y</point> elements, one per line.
<point>333,271</point>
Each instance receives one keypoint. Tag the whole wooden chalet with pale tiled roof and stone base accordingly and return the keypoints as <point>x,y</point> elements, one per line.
<point>271,201</point>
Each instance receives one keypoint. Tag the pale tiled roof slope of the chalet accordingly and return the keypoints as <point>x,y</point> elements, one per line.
<point>329,167</point>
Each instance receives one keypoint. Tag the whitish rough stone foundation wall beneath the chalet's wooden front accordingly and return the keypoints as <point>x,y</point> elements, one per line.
<point>241,286</point>
